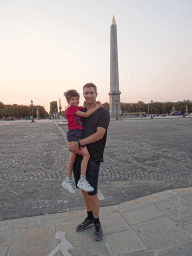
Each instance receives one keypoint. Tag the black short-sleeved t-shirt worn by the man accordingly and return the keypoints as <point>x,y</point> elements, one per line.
<point>100,118</point>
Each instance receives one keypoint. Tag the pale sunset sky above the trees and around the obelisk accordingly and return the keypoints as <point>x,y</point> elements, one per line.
<point>50,46</point>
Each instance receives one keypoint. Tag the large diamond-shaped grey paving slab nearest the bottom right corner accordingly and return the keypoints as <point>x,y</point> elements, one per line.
<point>161,233</point>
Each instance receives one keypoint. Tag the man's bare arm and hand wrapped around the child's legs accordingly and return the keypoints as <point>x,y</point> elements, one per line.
<point>98,135</point>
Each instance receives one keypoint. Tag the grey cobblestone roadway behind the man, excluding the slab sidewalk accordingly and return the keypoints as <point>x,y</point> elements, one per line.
<point>142,156</point>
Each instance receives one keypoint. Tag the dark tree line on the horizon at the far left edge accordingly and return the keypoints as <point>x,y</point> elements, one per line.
<point>23,111</point>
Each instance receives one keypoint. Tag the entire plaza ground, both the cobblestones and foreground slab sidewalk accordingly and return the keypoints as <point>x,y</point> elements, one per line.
<point>142,156</point>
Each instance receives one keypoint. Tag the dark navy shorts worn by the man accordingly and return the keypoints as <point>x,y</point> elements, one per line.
<point>92,173</point>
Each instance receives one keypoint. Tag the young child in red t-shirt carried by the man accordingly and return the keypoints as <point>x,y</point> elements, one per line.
<point>75,127</point>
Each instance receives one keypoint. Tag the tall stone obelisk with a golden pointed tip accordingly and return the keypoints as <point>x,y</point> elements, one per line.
<point>114,94</point>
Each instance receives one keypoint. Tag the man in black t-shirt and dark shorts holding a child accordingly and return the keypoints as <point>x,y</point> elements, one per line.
<point>94,137</point>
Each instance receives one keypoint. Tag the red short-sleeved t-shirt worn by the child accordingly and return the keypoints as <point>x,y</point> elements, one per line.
<point>74,122</point>
